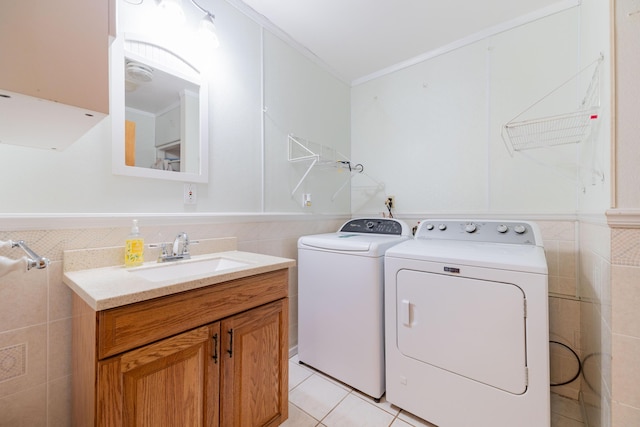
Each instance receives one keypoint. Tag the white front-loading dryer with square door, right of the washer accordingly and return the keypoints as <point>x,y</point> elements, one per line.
<point>466,317</point>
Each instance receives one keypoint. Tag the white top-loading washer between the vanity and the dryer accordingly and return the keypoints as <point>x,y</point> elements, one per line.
<point>341,303</point>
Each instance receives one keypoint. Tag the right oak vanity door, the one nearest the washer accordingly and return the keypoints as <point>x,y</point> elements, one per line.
<point>255,367</point>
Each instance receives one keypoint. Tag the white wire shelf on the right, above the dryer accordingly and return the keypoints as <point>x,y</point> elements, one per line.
<point>569,128</point>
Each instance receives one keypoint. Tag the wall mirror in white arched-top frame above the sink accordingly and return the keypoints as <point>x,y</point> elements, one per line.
<point>159,109</point>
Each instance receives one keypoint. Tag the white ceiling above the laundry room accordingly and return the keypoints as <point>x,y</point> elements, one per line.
<point>356,39</point>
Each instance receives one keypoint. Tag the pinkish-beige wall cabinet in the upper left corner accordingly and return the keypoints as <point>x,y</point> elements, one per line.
<point>54,70</point>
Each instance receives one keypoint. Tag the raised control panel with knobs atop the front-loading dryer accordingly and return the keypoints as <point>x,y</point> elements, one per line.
<point>491,231</point>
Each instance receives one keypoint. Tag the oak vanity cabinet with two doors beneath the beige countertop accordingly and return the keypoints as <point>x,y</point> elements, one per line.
<point>230,369</point>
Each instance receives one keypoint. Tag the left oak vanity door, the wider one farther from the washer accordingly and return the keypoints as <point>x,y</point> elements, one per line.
<point>174,382</point>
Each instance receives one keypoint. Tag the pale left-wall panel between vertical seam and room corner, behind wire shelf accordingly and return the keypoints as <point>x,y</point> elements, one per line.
<point>305,101</point>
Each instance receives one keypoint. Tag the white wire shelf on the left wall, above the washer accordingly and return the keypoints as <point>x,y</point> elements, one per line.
<point>317,155</point>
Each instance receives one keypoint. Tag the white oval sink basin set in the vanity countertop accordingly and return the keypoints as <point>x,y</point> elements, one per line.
<point>185,269</point>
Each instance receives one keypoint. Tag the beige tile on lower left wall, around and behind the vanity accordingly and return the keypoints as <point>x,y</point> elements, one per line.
<point>35,307</point>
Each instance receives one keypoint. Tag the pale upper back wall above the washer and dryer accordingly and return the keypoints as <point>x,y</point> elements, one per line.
<point>432,132</point>
